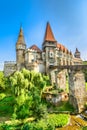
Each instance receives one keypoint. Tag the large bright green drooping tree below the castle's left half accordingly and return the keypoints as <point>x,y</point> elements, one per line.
<point>27,87</point>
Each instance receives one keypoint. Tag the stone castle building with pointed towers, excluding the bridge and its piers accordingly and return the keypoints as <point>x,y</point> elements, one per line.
<point>33,58</point>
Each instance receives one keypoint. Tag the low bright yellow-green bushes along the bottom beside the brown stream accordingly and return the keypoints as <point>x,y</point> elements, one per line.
<point>53,121</point>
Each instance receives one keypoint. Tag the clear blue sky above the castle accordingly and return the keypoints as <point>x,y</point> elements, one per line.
<point>67,18</point>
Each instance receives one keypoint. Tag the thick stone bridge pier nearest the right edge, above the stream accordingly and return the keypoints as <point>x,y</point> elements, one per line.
<point>77,90</point>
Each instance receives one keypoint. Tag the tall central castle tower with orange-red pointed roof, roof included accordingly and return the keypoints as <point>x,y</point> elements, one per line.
<point>49,46</point>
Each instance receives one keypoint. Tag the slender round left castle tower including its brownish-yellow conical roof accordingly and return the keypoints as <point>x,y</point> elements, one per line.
<point>20,49</point>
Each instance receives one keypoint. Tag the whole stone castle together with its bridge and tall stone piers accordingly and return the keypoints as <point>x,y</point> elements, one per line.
<point>54,60</point>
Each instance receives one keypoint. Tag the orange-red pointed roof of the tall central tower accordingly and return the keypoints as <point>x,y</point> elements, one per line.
<point>49,34</point>
